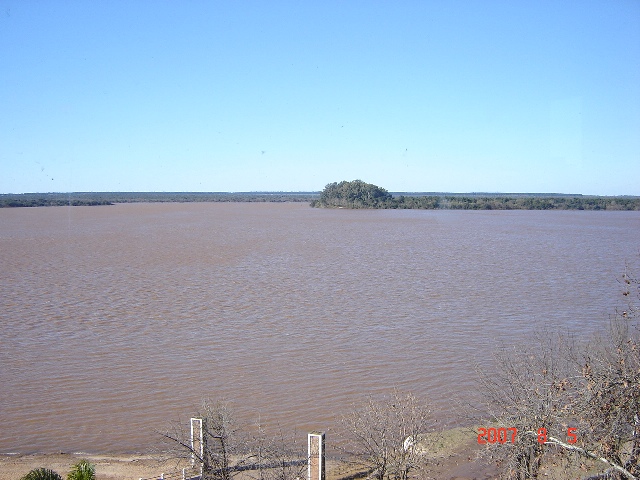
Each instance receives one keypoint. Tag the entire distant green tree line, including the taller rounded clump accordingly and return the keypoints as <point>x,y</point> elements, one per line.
<point>345,194</point>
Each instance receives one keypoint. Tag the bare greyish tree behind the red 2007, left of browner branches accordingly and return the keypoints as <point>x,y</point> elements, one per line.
<point>528,397</point>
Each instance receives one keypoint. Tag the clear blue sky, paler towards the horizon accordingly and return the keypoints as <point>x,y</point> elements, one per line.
<point>459,96</point>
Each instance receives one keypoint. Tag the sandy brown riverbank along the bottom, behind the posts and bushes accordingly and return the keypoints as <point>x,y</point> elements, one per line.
<point>452,458</point>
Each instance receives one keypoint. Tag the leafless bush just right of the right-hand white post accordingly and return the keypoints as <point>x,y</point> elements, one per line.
<point>385,434</point>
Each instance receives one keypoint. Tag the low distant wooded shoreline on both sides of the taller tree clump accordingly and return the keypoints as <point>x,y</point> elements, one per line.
<point>402,200</point>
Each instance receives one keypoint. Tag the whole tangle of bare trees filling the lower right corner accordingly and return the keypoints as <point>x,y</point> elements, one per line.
<point>573,401</point>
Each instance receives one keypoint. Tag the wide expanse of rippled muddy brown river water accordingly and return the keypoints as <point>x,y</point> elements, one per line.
<point>117,320</point>
